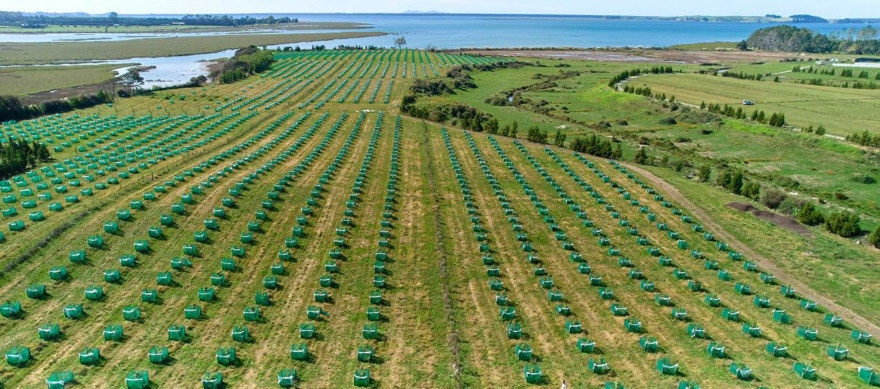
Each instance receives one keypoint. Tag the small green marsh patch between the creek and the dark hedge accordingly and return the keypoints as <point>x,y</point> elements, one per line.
<point>20,81</point>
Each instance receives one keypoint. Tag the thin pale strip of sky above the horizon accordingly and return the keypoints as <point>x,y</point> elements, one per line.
<point>824,8</point>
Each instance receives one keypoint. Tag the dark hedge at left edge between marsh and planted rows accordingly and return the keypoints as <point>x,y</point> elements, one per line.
<point>11,107</point>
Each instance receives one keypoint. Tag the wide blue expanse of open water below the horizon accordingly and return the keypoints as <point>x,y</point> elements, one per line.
<point>445,31</point>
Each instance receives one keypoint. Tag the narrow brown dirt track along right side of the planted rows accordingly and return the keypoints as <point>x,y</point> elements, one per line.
<point>764,263</point>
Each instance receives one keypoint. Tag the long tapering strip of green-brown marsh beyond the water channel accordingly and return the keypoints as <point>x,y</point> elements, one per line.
<point>67,52</point>
